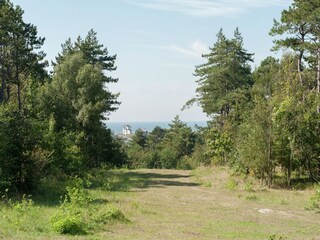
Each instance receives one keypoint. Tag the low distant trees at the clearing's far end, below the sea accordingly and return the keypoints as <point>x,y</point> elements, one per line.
<point>178,147</point>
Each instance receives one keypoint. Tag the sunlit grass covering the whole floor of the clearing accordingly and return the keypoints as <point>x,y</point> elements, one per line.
<point>167,204</point>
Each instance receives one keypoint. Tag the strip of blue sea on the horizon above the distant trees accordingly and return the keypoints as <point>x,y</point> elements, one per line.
<point>116,127</point>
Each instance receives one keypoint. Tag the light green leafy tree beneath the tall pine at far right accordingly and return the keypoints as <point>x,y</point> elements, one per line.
<point>290,114</point>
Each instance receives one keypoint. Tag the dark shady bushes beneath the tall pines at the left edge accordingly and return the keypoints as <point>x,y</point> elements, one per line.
<point>23,159</point>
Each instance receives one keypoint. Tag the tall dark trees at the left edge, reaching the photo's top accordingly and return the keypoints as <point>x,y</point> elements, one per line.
<point>23,157</point>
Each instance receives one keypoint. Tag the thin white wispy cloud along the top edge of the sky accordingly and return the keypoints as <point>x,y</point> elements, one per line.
<point>208,8</point>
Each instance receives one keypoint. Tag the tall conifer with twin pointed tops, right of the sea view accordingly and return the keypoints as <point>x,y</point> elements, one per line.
<point>225,77</point>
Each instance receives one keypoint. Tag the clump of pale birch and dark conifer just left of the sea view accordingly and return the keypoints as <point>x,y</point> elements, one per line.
<point>75,104</point>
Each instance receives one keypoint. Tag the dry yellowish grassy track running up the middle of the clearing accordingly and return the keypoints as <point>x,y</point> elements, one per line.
<point>172,205</point>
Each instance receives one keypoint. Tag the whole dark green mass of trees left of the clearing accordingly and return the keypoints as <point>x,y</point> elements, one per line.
<point>52,123</point>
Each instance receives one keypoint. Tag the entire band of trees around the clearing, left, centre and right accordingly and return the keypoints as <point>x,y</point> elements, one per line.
<point>262,120</point>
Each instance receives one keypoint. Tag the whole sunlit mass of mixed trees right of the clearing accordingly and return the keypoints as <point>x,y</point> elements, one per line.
<point>269,118</point>
